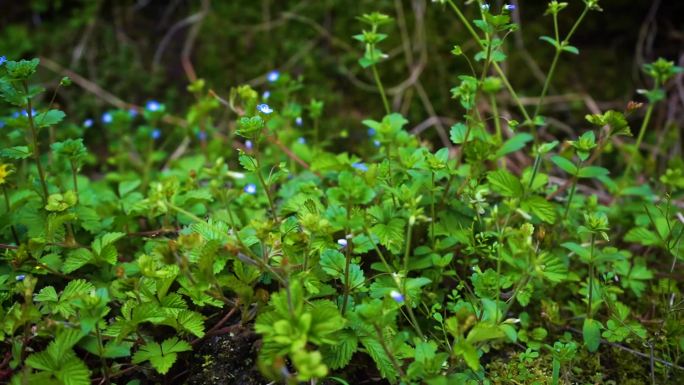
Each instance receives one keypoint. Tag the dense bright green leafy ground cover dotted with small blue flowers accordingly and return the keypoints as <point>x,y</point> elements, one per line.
<point>507,253</point>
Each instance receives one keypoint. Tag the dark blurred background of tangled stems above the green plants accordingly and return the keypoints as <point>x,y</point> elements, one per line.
<point>141,50</point>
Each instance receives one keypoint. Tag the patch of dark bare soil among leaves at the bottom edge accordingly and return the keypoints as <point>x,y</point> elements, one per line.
<point>227,359</point>
